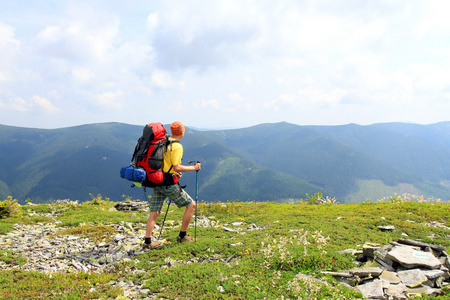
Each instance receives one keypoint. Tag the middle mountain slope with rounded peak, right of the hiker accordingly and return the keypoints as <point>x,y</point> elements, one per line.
<point>312,156</point>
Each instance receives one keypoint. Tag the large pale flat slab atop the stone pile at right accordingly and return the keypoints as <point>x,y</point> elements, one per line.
<point>411,258</point>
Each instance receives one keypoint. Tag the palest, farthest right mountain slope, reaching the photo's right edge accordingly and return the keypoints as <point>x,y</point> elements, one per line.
<point>428,163</point>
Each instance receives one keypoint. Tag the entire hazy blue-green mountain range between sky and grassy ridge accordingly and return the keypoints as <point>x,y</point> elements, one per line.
<point>268,162</point>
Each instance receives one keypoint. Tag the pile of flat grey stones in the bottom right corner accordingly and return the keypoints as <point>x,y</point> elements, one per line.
<point>400,270</point>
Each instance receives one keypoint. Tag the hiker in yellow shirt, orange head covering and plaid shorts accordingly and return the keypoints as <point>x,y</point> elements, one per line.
<point>172,164</point>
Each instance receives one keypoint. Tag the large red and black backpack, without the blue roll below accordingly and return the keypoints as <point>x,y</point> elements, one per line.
<point>149,155</point>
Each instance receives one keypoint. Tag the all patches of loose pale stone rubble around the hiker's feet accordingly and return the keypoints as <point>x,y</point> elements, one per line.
<point>46,251</point>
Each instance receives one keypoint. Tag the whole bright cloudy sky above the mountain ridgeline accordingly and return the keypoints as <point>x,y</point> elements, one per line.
<point>223,64</point>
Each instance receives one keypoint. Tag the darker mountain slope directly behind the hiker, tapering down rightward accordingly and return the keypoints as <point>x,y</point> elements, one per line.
<point>72,163</point>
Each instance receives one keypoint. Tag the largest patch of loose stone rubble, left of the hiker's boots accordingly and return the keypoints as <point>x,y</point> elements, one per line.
<point>46,251</point>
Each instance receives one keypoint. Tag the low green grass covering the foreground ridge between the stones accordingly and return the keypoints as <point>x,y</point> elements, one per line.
<point>272,263</point>
